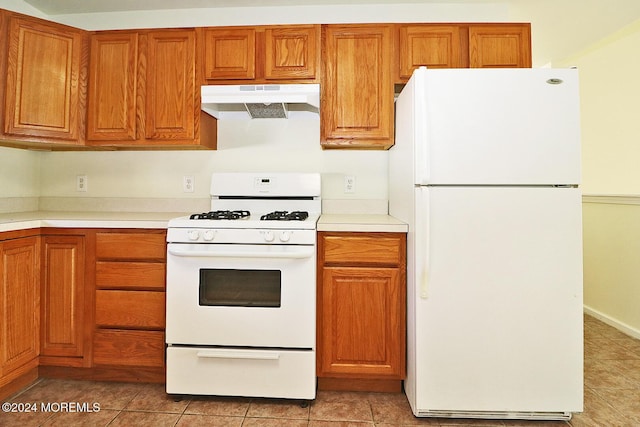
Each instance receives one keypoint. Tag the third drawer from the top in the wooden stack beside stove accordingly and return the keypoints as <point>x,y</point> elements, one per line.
<point>130,309</point>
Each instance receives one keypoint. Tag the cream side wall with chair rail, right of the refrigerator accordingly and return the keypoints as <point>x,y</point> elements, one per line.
<point>610,94</point>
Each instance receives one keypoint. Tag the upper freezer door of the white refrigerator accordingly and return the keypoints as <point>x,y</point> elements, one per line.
<point>497,126</point>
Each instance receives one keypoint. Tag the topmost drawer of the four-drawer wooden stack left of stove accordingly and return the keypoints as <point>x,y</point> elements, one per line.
<point>131,246</point>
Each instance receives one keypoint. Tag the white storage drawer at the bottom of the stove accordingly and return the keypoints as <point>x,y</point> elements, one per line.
<point>277,373</point>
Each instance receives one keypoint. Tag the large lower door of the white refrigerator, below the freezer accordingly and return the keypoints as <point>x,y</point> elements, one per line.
<point>498,303</point>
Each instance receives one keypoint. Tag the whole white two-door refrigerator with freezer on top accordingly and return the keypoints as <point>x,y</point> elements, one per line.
<point>486,172</point>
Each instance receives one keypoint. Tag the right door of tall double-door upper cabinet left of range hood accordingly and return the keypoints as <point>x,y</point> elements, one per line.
<point>171,85</point>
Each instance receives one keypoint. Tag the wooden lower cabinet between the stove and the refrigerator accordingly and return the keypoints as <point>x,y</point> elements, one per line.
<point>361,311</point>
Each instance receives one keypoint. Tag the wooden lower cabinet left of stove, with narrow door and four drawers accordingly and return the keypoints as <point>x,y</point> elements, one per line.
<point>103,304</point>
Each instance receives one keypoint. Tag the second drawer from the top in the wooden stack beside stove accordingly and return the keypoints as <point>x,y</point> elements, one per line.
<point>124,275</point>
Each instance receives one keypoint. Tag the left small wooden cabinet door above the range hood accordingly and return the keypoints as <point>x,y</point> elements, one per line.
<point>230,53</point>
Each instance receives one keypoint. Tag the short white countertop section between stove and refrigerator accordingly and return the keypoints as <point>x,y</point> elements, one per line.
<point>361,223</point>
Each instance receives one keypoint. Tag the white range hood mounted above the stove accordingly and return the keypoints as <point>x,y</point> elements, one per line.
<point>261,101</point>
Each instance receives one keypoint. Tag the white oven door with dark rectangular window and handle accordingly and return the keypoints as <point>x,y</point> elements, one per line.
<point>241,295</point>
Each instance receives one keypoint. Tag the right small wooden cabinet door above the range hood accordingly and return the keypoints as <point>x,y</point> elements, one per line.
<point>291,52</point>
